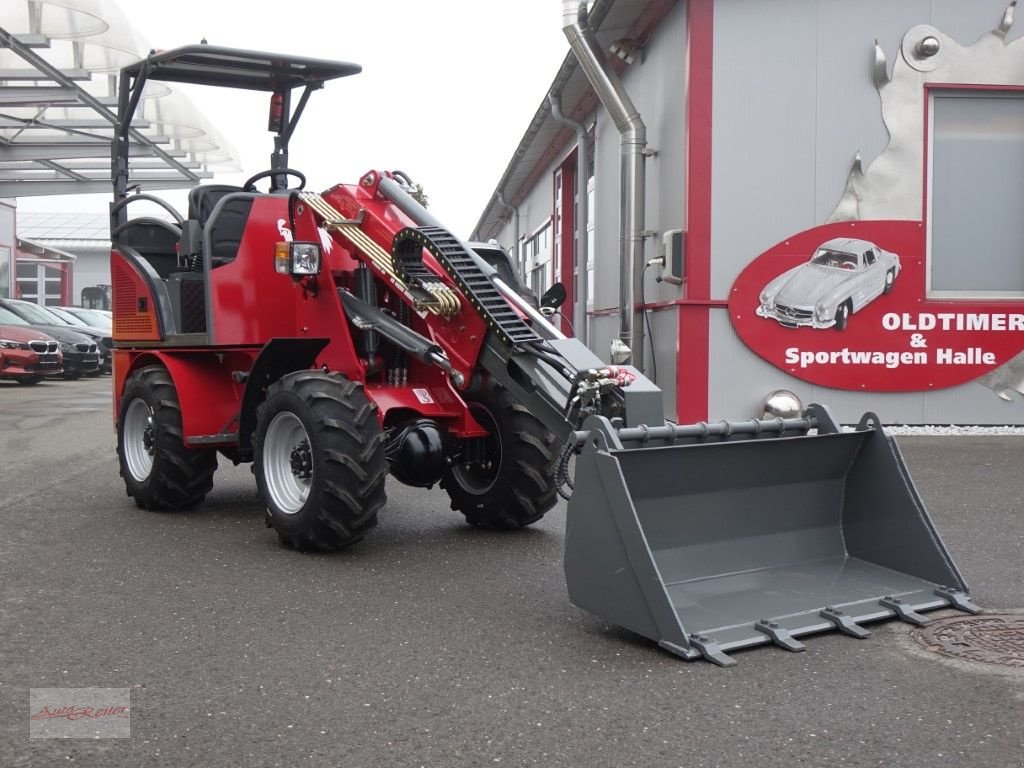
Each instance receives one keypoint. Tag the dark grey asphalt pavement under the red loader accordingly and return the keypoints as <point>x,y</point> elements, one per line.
<point>434,645</point>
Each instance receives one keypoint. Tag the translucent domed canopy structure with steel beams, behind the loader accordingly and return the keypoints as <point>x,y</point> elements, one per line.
<point>59,67</point>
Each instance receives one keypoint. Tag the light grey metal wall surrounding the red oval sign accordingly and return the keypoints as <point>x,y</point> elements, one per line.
<point>793,102</point>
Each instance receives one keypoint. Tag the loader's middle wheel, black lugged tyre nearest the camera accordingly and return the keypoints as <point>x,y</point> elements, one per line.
<point>320,460</point>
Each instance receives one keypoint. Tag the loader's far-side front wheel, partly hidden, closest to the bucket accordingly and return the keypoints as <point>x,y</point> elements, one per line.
<point>519,487</point>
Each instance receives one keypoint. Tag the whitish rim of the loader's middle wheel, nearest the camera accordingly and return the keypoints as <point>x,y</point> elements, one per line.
<point>287,463</point>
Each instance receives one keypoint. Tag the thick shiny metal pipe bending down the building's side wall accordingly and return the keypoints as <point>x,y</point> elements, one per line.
<point>610,91</point>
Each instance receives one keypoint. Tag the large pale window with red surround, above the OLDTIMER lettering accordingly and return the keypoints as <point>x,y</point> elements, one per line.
<point>976,185</point>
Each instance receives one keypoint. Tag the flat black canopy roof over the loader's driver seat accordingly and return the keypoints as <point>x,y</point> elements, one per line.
<point>234,68</point>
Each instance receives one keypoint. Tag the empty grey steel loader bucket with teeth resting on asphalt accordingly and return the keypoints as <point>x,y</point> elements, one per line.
<point>713,538</point>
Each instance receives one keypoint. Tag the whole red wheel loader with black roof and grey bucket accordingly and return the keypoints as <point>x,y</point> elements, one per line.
<point>334,339</point>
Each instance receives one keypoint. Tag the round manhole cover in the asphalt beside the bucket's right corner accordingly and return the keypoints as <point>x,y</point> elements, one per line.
<point>994,638</point>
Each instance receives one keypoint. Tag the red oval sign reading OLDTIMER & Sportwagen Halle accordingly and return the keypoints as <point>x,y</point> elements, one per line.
<point>843,306</point>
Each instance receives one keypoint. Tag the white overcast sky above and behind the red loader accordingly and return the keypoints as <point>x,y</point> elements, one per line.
<point>448,89</point>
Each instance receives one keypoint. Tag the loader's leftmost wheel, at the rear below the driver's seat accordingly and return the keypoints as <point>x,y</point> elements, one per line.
<point>160,473</point>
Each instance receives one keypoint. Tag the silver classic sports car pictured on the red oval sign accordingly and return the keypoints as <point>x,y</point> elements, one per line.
<point>842,278</point>
